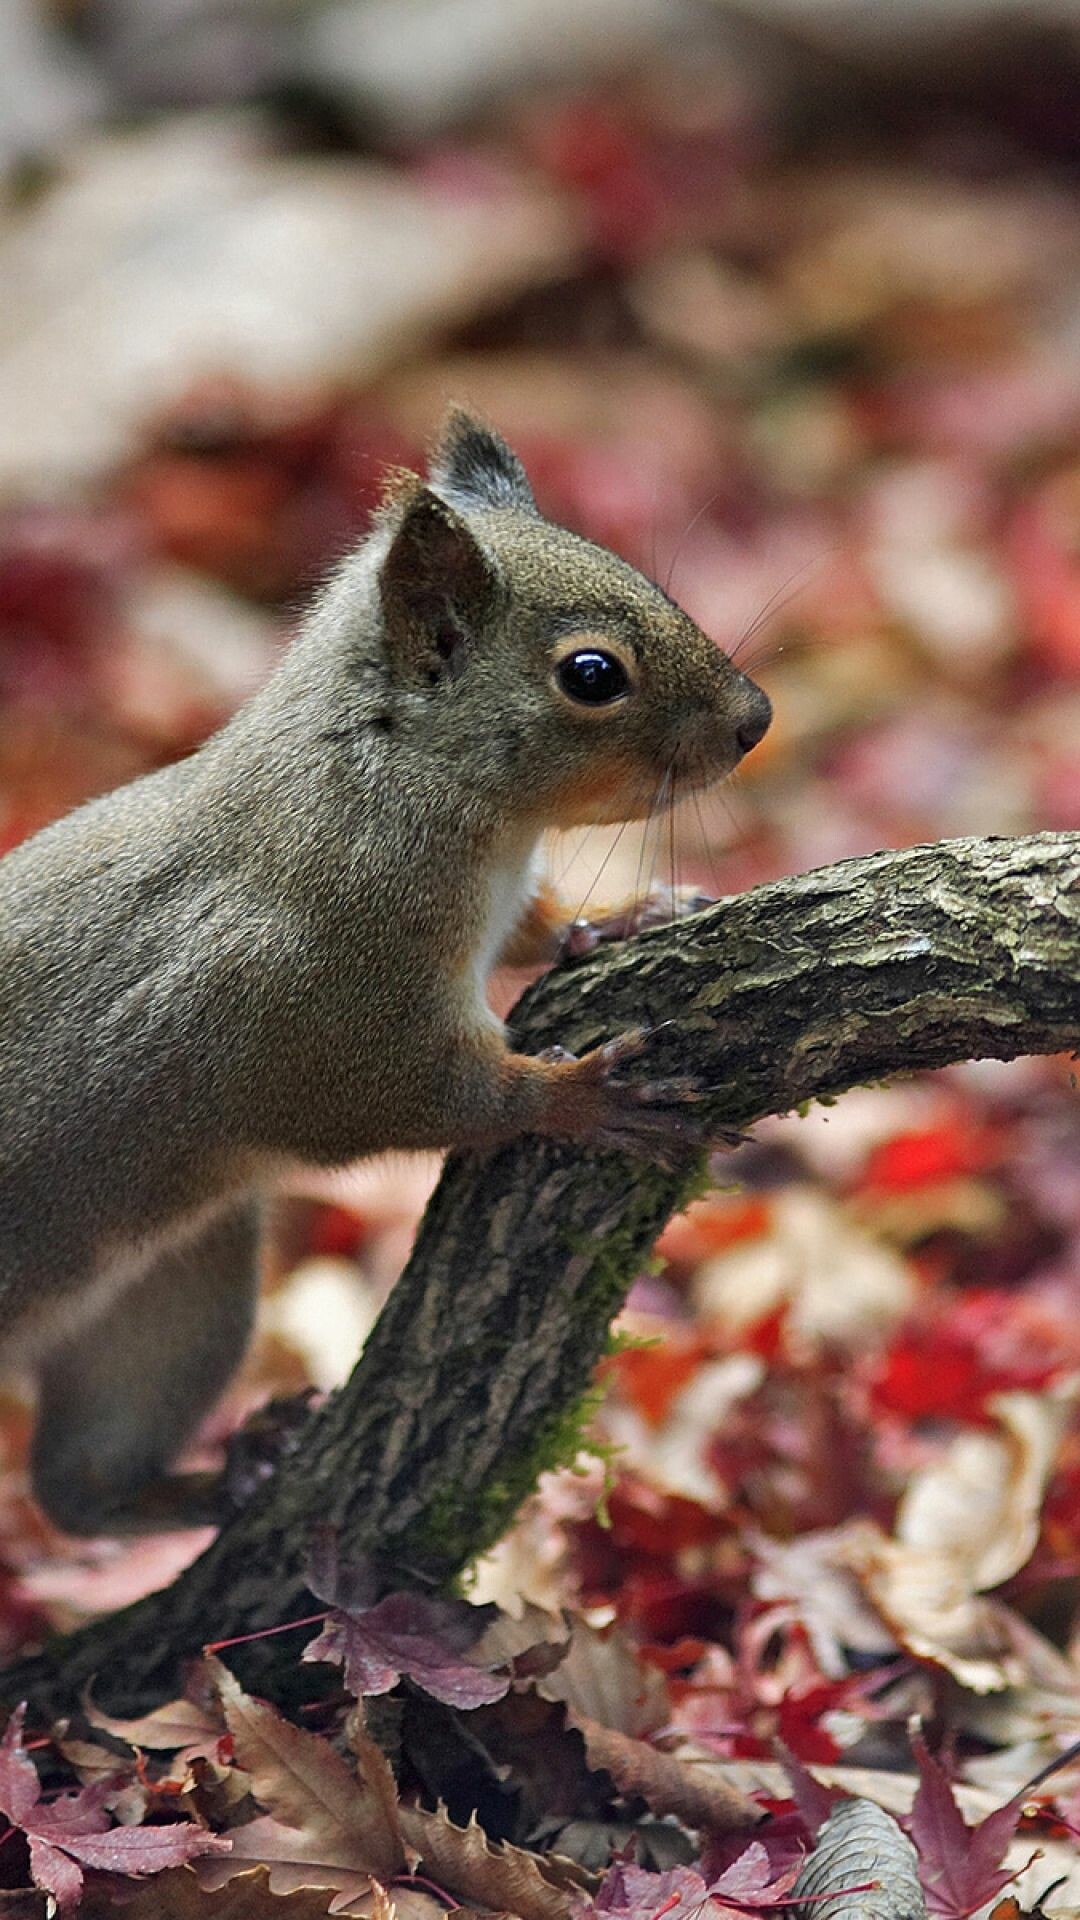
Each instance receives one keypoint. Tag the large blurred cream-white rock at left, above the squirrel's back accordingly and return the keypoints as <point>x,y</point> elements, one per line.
<point>187,251</point>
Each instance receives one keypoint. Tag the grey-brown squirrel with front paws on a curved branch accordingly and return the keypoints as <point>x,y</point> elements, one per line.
<point>274,953</point>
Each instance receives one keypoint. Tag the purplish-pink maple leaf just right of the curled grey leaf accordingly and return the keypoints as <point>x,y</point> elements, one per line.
<point>960,1865</point>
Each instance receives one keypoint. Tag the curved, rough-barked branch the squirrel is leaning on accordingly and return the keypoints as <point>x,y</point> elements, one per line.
<point>478,1364</point>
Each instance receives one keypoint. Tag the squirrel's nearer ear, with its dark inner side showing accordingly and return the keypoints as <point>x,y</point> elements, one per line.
<point>435,585</point>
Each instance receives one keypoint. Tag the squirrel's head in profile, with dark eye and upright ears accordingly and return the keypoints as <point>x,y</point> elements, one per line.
<point>560,681</point>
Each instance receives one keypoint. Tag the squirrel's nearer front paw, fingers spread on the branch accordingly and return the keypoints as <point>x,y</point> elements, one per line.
<point>650,1116</point>
